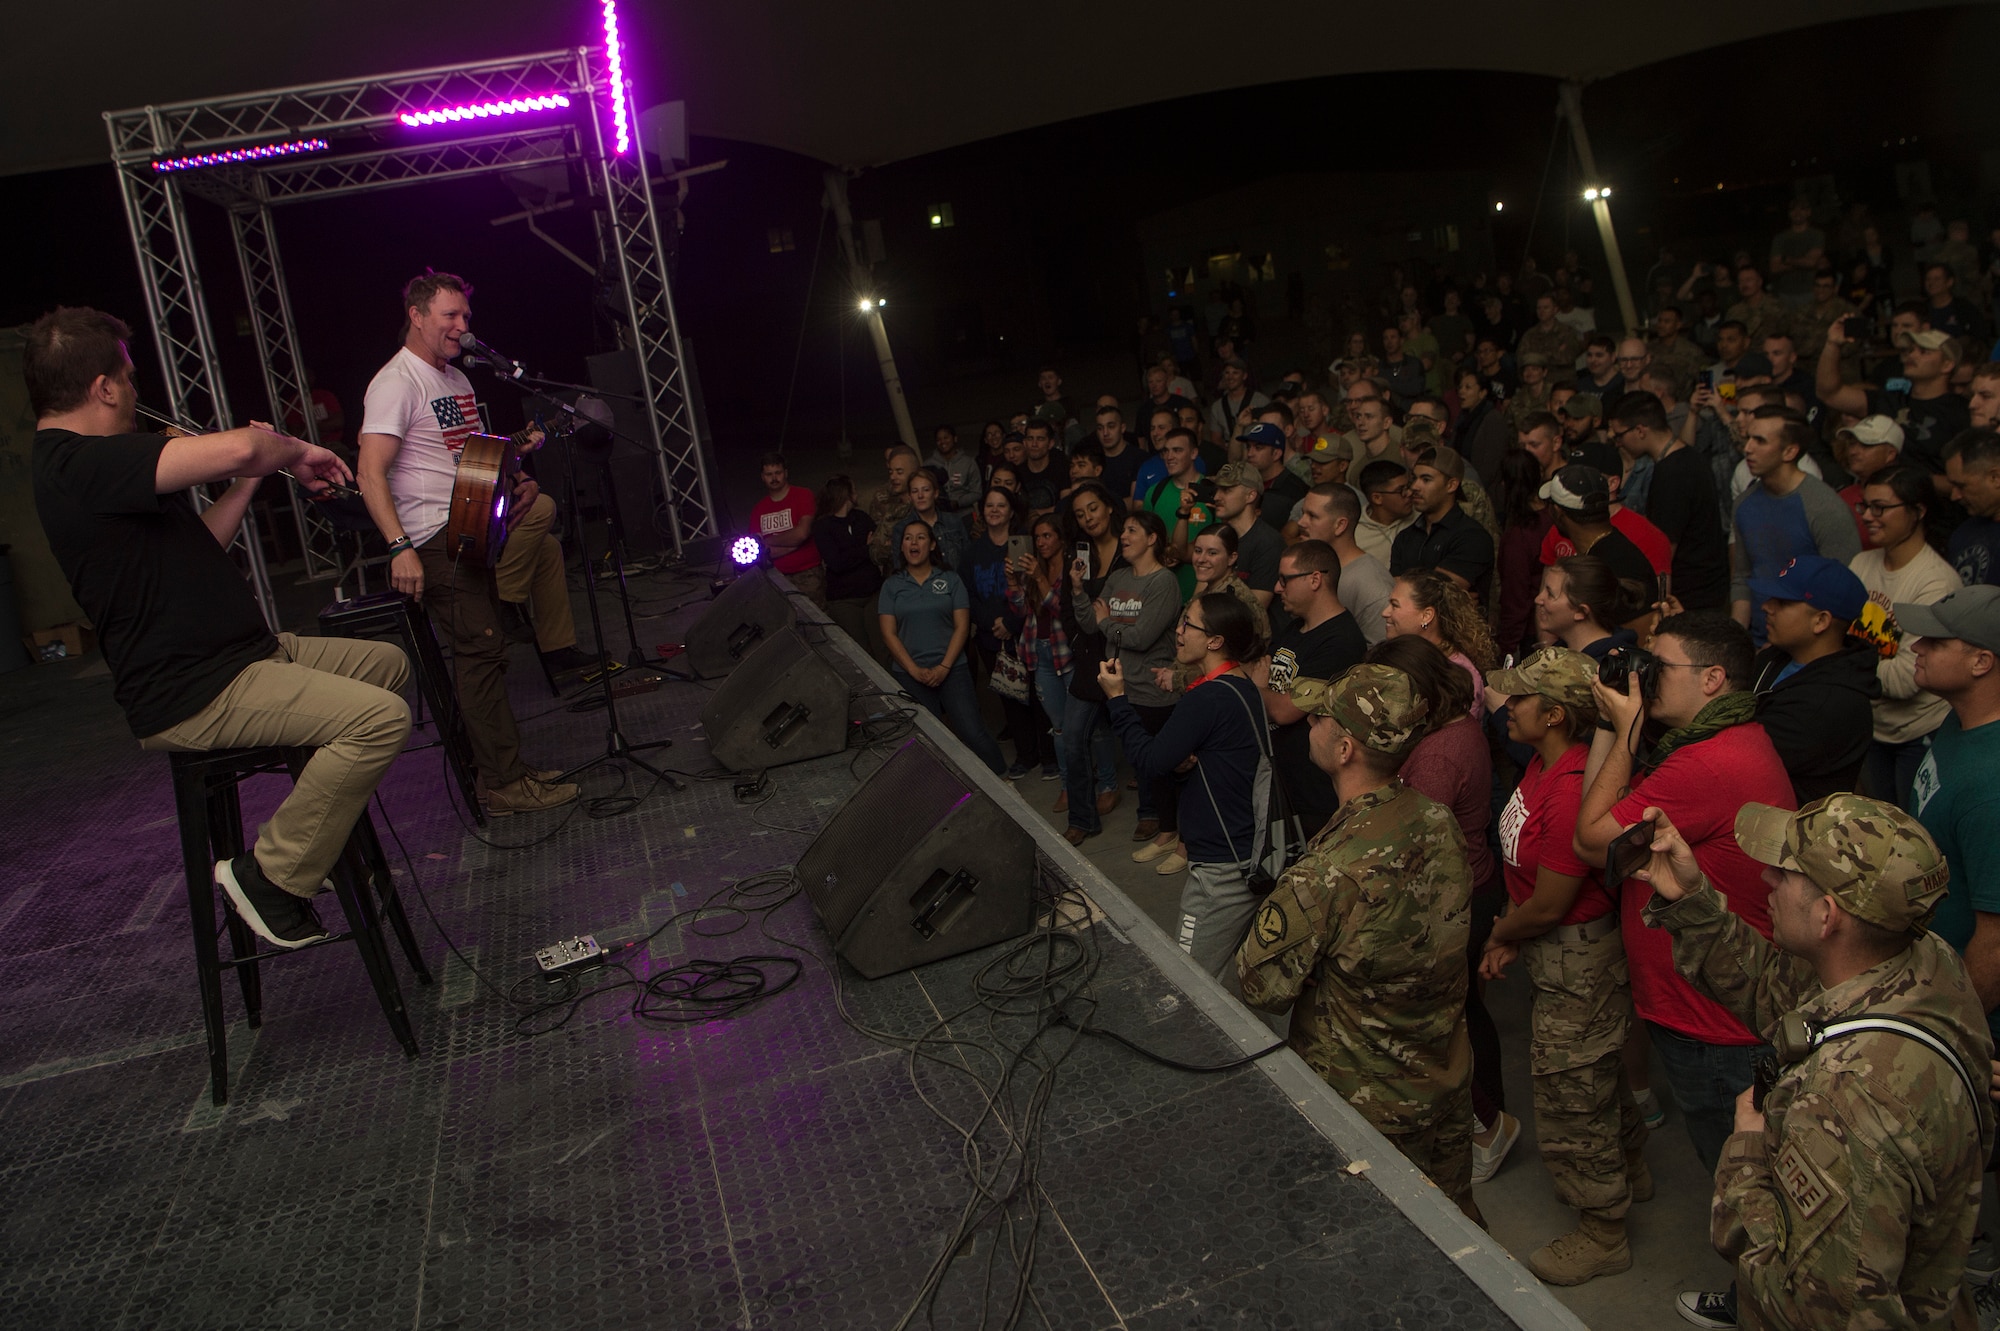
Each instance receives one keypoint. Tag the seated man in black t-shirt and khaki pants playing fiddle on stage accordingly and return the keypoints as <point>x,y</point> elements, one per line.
<point>191,657</point>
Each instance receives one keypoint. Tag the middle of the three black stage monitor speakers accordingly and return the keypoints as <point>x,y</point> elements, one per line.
<point>785,704</point>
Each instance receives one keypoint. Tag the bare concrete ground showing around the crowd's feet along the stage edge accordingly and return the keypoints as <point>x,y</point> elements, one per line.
<point>1669,1234</point>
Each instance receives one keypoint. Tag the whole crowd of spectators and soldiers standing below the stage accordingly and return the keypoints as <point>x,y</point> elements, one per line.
<point>1665,666</point>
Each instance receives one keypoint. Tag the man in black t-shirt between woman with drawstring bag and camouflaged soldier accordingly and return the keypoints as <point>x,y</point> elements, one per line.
<point>1319,643</point>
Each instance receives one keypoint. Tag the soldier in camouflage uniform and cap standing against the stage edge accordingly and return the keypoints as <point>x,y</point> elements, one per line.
<point>1365,938</point>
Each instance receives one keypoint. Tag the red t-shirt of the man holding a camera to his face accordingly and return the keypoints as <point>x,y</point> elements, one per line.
<point>1701,788</point>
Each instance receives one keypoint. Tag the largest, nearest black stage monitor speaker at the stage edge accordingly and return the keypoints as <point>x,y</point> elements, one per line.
<point>919,866</point>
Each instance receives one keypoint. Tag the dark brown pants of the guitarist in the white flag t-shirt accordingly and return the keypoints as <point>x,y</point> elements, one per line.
<point>465,605</point>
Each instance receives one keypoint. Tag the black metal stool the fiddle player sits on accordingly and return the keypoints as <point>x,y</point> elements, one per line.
<point>211,830</point>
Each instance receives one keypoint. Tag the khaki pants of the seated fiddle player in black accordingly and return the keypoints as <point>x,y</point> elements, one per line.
<point>337,694</point>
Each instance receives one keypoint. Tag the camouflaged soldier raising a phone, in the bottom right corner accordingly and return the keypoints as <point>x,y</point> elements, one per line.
<point>1853,1196</point>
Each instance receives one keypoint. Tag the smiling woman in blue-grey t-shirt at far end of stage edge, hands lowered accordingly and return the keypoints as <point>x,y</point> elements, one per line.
<point>927,625</point>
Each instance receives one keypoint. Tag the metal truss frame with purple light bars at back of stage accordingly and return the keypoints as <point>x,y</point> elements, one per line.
<point>373,151</point>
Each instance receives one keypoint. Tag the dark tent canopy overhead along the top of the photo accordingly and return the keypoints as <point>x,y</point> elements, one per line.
<point>855,85</point>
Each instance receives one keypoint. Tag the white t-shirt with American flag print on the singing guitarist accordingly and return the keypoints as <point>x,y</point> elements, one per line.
<point>433,413</point>
